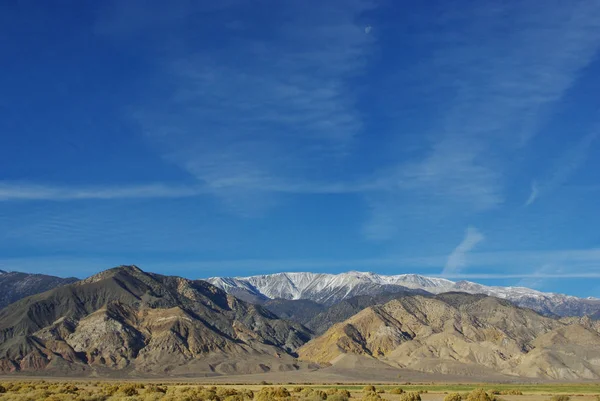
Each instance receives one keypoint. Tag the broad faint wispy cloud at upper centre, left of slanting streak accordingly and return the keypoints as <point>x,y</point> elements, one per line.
<point>281,116</point>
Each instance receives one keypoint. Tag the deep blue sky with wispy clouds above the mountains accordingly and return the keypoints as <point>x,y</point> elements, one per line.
<point>455,138</point>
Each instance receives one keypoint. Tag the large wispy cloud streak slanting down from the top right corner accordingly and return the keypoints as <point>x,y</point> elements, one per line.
<point>495,79</point>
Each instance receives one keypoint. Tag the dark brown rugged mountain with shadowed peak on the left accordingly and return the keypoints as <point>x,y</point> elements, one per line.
<point>124,318</point>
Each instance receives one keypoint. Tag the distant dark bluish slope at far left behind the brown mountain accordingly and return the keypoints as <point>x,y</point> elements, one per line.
<point>16,285</point>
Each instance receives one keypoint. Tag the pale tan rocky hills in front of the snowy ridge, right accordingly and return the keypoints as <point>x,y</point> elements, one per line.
<point>457,333</point>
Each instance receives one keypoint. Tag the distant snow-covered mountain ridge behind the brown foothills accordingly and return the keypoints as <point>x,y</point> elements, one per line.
<point>329,289</point>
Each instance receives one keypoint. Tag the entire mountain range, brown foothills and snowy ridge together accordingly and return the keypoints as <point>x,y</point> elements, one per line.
<point>127,322</point>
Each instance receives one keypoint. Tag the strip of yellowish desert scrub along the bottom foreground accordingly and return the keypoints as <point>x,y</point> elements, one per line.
<point>41,390</point>
